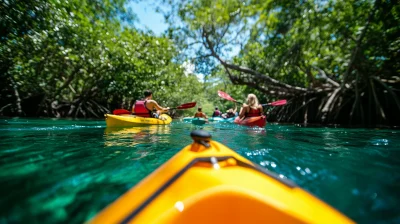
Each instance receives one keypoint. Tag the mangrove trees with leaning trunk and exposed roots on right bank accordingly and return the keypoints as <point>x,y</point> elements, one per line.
<point>331,58</point>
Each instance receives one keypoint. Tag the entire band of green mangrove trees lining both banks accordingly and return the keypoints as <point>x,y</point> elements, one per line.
<point>335,62</point>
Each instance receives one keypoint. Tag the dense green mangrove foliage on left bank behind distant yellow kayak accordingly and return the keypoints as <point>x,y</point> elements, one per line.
<point>82,58</point>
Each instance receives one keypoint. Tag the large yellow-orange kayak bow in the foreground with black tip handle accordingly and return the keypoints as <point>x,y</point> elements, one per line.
<point>206,182</point>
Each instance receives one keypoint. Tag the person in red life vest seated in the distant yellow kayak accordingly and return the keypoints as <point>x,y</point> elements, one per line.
<point>148,107</point>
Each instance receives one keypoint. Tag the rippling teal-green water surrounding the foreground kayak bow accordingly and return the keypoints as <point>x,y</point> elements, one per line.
<point>54,171</point>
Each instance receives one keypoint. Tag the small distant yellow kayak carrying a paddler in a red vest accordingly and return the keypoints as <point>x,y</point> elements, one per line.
<point>133,120</point>
